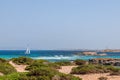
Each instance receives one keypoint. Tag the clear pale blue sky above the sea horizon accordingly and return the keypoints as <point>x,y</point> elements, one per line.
<point>59,24</point>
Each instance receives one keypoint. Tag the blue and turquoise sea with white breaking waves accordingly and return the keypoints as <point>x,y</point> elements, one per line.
<point>53,55</point>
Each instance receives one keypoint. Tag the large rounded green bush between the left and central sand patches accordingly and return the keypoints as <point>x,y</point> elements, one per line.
<point>48,73</point>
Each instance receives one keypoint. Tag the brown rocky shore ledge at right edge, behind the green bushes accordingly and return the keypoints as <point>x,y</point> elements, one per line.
<point>105,61</point>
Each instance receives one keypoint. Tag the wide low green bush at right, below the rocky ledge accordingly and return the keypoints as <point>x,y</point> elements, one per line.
<point>85,69</point>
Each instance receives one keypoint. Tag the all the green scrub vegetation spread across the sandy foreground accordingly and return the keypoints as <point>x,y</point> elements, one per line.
<point>45,70</point>
